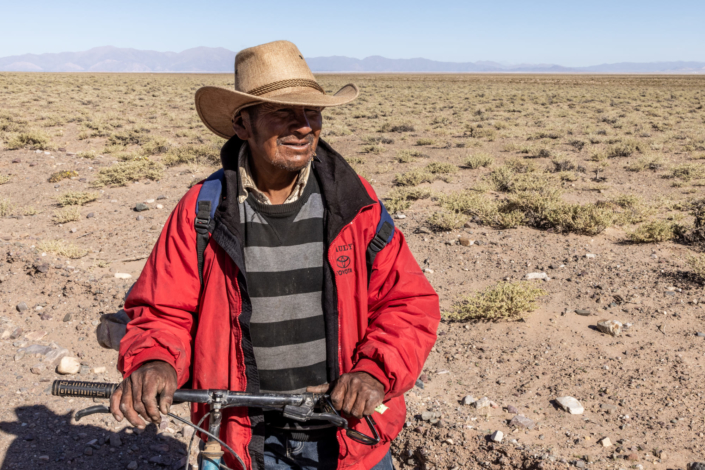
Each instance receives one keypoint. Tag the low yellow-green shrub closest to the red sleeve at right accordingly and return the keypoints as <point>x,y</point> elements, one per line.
<point>504,301</point>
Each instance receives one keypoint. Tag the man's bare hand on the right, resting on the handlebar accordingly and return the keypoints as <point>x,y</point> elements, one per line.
<point>356,393</point>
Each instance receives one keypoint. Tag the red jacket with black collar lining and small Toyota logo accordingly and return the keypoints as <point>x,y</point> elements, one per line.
<point>386,329</point>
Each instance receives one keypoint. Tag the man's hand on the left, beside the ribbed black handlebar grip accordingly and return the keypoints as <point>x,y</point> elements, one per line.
<point>137,395</point>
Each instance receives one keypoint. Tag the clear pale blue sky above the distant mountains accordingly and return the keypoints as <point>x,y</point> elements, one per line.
<point>568,32</point>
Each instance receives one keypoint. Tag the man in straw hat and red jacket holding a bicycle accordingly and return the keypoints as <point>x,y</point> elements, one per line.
<point>286,302</point>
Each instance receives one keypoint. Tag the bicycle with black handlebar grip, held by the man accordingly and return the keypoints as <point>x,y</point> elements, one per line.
<point>299,407</point>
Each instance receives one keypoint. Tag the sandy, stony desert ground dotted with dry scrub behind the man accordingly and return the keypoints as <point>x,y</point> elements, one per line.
<point>537,206</point>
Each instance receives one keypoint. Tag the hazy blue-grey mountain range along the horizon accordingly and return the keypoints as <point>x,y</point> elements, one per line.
<point>218,59</point>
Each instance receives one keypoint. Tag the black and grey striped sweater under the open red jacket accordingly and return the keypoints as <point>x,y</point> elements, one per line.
<point>284,260</point>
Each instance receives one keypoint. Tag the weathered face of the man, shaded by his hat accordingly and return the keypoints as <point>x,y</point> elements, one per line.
<point>285,136</point>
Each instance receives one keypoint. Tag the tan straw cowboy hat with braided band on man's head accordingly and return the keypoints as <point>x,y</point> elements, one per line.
<point>271,73</point>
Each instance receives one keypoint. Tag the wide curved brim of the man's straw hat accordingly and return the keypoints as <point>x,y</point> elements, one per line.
<point>216,106</point>
